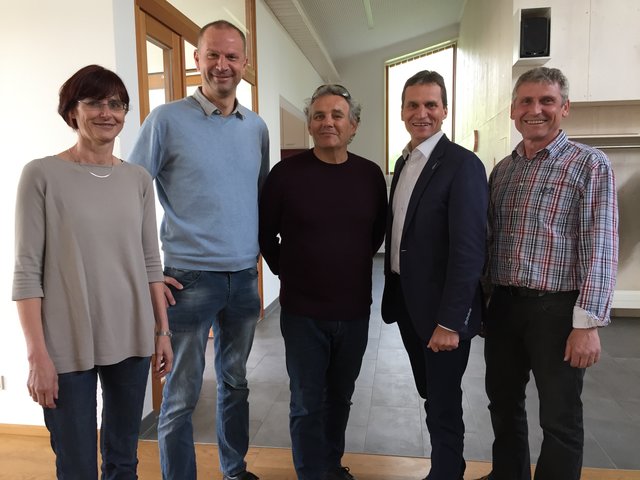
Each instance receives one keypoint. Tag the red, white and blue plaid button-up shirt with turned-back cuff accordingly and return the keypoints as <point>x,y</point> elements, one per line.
<point>553,225</point>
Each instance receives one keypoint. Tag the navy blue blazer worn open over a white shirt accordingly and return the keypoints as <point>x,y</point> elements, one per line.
<point>442,250</point>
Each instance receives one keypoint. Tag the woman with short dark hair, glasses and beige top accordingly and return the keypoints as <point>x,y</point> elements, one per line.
<point>88,284</point>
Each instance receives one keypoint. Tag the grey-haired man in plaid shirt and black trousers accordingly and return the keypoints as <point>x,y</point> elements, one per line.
<point>553,251</point>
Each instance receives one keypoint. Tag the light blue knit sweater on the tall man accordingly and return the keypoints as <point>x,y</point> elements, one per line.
<point>208,171</point>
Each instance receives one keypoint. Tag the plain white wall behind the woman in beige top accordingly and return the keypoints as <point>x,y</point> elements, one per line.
<point>41,45</point>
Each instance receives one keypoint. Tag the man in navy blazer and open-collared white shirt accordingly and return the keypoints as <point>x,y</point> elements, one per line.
<point>434,256</point>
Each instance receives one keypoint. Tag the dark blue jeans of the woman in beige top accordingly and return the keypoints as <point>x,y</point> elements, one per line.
<point>72,424</point>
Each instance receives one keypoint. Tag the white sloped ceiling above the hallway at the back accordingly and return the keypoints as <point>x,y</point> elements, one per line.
<point>330,30</point>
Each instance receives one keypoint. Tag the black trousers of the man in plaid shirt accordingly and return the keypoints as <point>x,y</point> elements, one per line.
<point>529,334</point>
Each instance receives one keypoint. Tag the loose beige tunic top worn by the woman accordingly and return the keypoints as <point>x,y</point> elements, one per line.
<point>89,247</point>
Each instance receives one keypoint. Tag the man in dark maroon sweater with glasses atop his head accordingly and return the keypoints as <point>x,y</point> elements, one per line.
<point>328,208</point>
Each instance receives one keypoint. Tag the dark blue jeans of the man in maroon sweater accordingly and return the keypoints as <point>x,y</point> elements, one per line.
<point>323,361</point>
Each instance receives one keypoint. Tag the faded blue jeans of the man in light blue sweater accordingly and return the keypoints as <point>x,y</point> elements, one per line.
<point>229,303</point>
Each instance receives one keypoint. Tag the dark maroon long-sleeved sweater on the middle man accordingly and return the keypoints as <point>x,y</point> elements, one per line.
<point>331,221</point>
